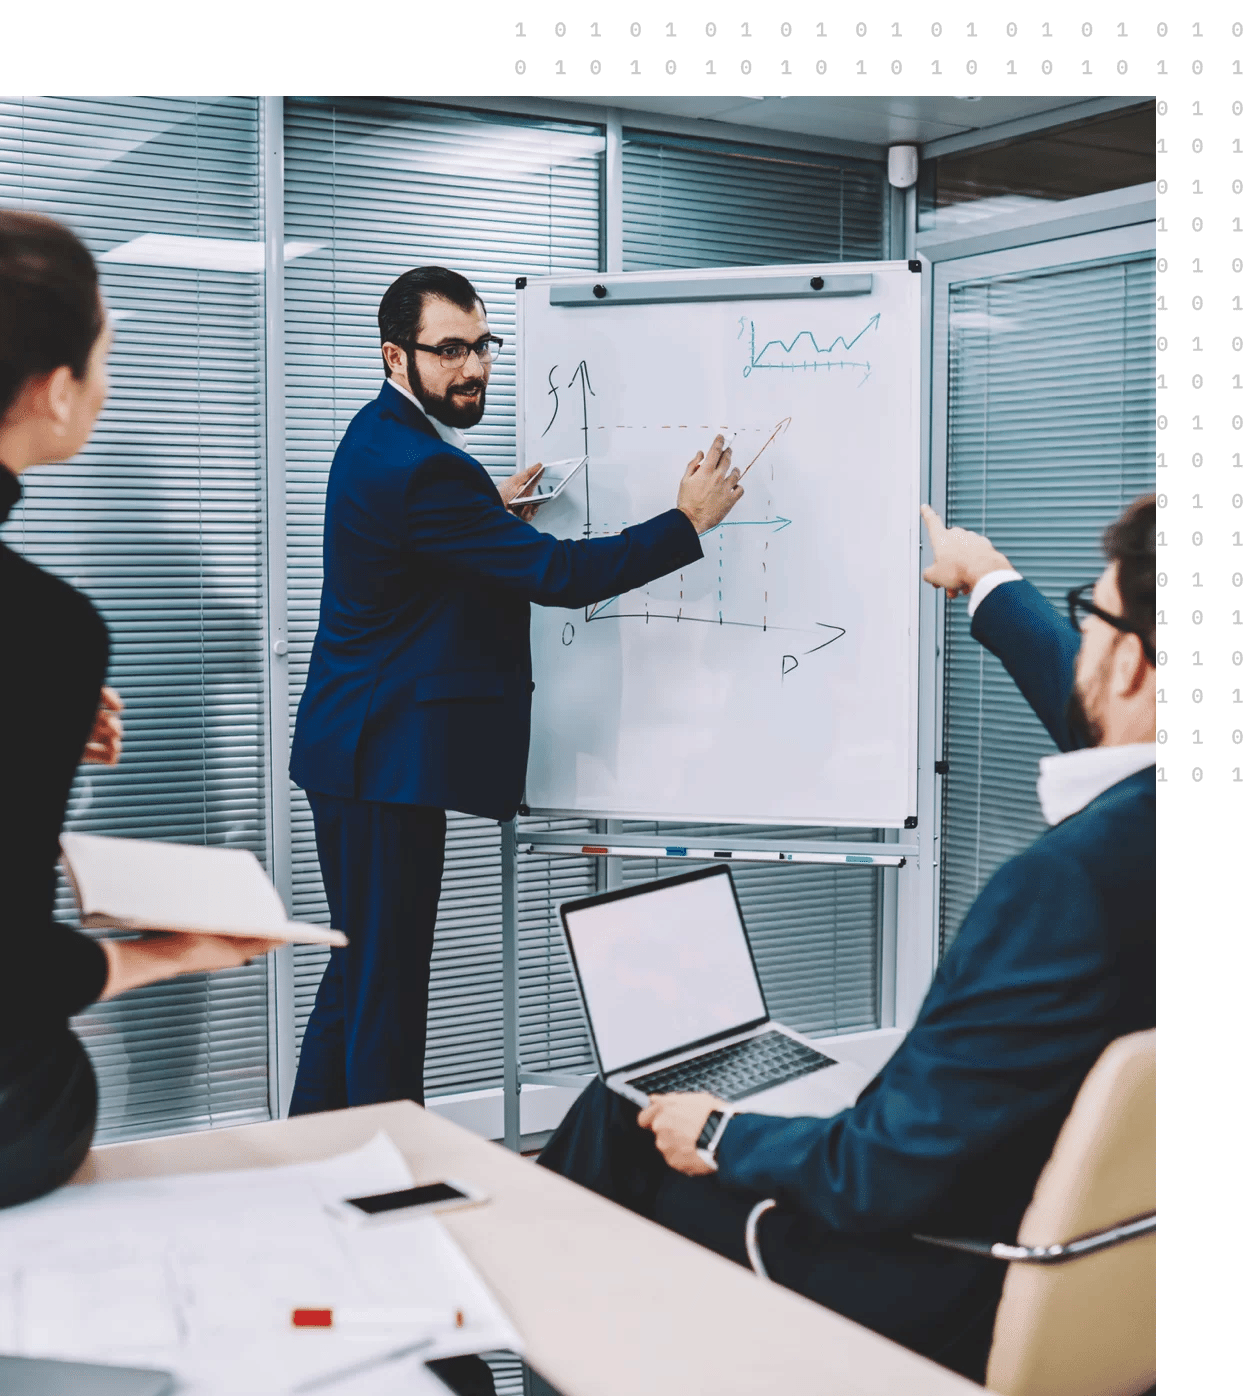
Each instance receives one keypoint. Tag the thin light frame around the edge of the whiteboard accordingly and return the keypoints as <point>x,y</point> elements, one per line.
<point>791,274</point>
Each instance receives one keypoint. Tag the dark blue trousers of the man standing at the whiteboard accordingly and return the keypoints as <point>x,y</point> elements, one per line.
<point>368,1035</point>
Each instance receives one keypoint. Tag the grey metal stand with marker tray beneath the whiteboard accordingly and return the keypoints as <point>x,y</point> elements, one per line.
<point>612,847</point>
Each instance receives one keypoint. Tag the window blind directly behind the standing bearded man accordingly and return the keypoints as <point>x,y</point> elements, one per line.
<point>380,186</point>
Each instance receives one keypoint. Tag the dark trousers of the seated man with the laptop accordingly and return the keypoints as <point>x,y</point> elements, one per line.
<point>939,1303</point>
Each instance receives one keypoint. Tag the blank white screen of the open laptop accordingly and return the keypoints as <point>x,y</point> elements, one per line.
<point>664,968</point>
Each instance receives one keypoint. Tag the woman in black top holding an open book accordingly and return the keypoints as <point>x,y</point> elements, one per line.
<point>55,713</point>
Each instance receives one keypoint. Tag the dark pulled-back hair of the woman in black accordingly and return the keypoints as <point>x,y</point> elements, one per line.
<point>50,302</point>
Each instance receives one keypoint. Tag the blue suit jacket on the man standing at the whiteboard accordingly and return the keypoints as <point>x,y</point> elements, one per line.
<point>421,681</point>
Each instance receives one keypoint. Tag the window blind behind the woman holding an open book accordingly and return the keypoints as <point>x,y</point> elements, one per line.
<point>160,521</point>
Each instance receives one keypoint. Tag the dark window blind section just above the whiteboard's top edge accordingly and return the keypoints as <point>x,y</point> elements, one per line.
<point>691,203</point>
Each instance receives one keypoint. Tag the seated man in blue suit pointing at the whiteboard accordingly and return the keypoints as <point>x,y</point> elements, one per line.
<point>1056,958</point>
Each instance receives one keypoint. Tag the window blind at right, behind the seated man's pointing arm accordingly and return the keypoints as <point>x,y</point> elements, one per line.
<point>1052,407</point>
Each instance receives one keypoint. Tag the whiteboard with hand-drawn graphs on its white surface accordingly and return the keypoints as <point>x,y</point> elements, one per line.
<point>775,682</point>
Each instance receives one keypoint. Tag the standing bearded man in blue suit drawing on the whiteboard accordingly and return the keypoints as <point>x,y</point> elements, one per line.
<point>421,685</point>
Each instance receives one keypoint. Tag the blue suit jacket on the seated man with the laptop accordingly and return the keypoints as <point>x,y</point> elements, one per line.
<point>1056,958</point>
